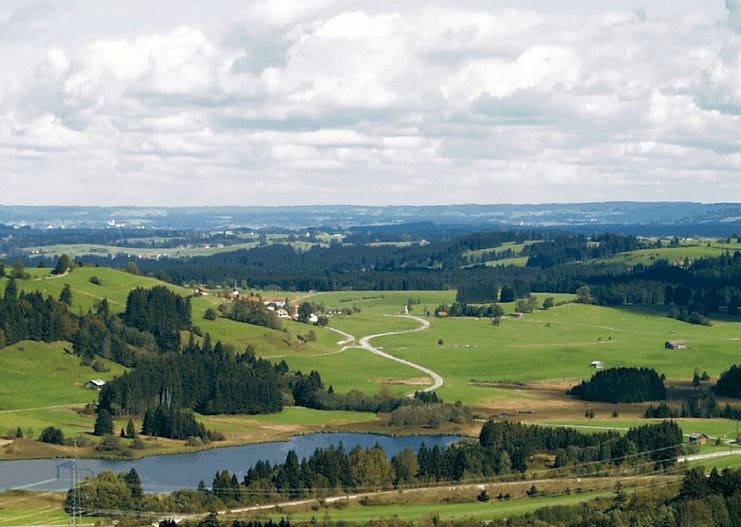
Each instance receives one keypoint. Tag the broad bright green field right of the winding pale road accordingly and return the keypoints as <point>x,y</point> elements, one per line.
<point>559,344</point>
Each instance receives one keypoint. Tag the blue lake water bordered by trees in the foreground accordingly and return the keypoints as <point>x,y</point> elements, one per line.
<point>169,472</point>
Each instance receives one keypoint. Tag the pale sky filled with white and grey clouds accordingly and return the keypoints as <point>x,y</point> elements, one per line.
<point>289,102</point>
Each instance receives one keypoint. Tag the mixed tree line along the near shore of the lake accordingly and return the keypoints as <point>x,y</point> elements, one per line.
<point>503,448</point>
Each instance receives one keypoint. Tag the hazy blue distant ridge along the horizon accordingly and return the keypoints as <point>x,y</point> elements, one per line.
<point>726,216</point>
